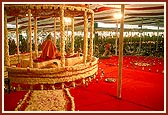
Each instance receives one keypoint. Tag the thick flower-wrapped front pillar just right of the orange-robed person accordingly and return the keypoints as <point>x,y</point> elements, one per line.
<point>62,47</point>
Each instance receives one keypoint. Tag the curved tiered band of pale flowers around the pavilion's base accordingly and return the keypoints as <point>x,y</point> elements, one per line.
<point>52,75</point>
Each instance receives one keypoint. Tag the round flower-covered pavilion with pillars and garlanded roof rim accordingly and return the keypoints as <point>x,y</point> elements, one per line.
<point>66,69</point>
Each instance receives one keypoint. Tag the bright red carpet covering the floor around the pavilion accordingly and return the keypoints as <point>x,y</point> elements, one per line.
<point>142,87</point>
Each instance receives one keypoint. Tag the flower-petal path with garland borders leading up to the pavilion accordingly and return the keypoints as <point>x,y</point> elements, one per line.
<point>47,100</point>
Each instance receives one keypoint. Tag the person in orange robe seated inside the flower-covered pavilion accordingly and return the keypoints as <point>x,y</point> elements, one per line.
<point>49,50</point>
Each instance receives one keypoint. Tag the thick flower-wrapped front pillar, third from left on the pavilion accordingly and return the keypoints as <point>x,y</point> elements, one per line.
<point>29,36</point>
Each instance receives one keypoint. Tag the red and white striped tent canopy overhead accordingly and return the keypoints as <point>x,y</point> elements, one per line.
<point>146,14</point>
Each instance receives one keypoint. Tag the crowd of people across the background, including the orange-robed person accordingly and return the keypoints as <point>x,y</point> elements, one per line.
<point>148,46</point>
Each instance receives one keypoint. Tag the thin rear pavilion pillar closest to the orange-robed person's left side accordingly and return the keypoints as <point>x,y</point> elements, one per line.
<point>35,37</point>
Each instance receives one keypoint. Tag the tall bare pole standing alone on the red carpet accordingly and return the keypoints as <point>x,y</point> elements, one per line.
<point>120,53</point>
